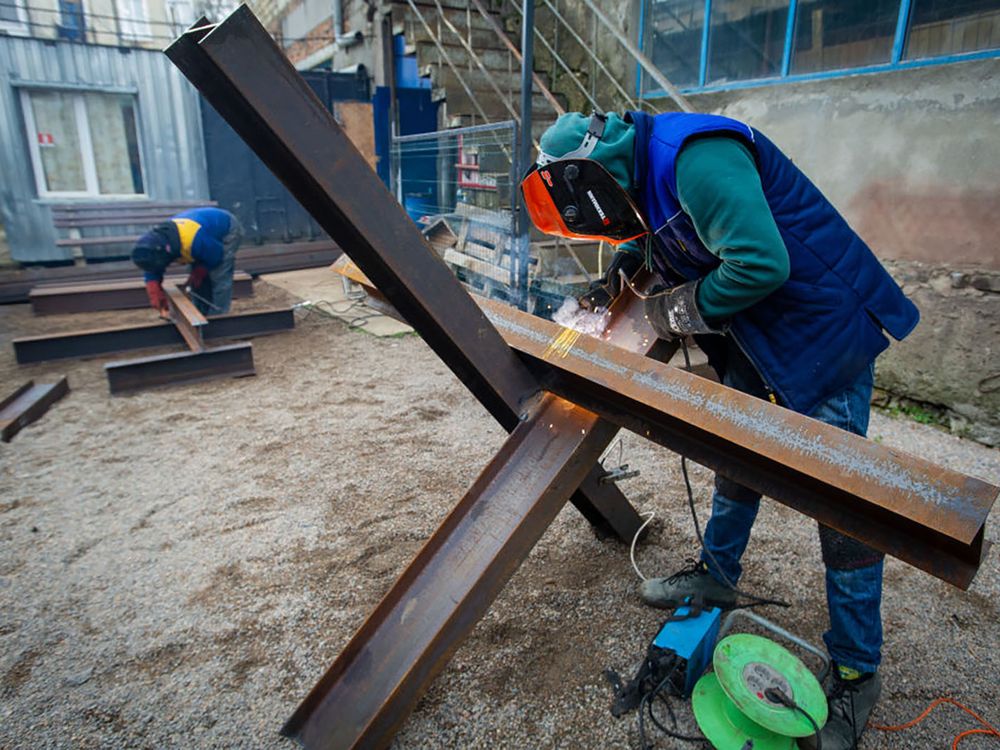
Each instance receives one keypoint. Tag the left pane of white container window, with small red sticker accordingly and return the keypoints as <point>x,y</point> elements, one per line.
<point>58,141</point>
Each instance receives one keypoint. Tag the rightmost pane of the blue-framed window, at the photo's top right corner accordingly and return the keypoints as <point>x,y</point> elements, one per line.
<point>948,27</point>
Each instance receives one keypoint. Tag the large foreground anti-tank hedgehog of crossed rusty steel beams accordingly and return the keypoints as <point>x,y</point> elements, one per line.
<point>379,676</point>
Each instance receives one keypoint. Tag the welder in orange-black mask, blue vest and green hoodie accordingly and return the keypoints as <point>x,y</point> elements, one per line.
<point>786,300</point>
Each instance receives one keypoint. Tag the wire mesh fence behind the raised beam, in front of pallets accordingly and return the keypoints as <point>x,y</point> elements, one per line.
<point>460,187</point>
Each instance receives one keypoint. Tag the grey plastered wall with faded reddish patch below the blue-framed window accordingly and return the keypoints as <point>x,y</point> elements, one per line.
<point>911,157</point>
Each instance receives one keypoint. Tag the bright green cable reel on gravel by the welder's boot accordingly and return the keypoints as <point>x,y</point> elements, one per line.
<point>730,704</point>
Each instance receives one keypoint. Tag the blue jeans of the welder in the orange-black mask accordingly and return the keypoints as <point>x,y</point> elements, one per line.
<point>853,570</point>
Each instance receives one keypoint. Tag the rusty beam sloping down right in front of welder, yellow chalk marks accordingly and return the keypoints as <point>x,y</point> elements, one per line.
<point>916,511</point>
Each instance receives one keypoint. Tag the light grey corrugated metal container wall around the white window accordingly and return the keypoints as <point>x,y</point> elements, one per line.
<point>168,124</point>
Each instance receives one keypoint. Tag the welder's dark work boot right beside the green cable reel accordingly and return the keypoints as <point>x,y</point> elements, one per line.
<point>851,703</point>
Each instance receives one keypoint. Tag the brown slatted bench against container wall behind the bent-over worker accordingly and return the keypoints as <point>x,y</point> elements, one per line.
<point>132,217</point>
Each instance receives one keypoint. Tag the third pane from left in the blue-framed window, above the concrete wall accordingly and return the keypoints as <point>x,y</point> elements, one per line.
<point>836,34</point>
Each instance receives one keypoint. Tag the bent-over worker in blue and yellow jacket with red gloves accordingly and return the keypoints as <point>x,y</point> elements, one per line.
<point>205,239</point>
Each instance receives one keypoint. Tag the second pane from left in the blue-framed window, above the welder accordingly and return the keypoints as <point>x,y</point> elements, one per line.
<point>746,39</point>
